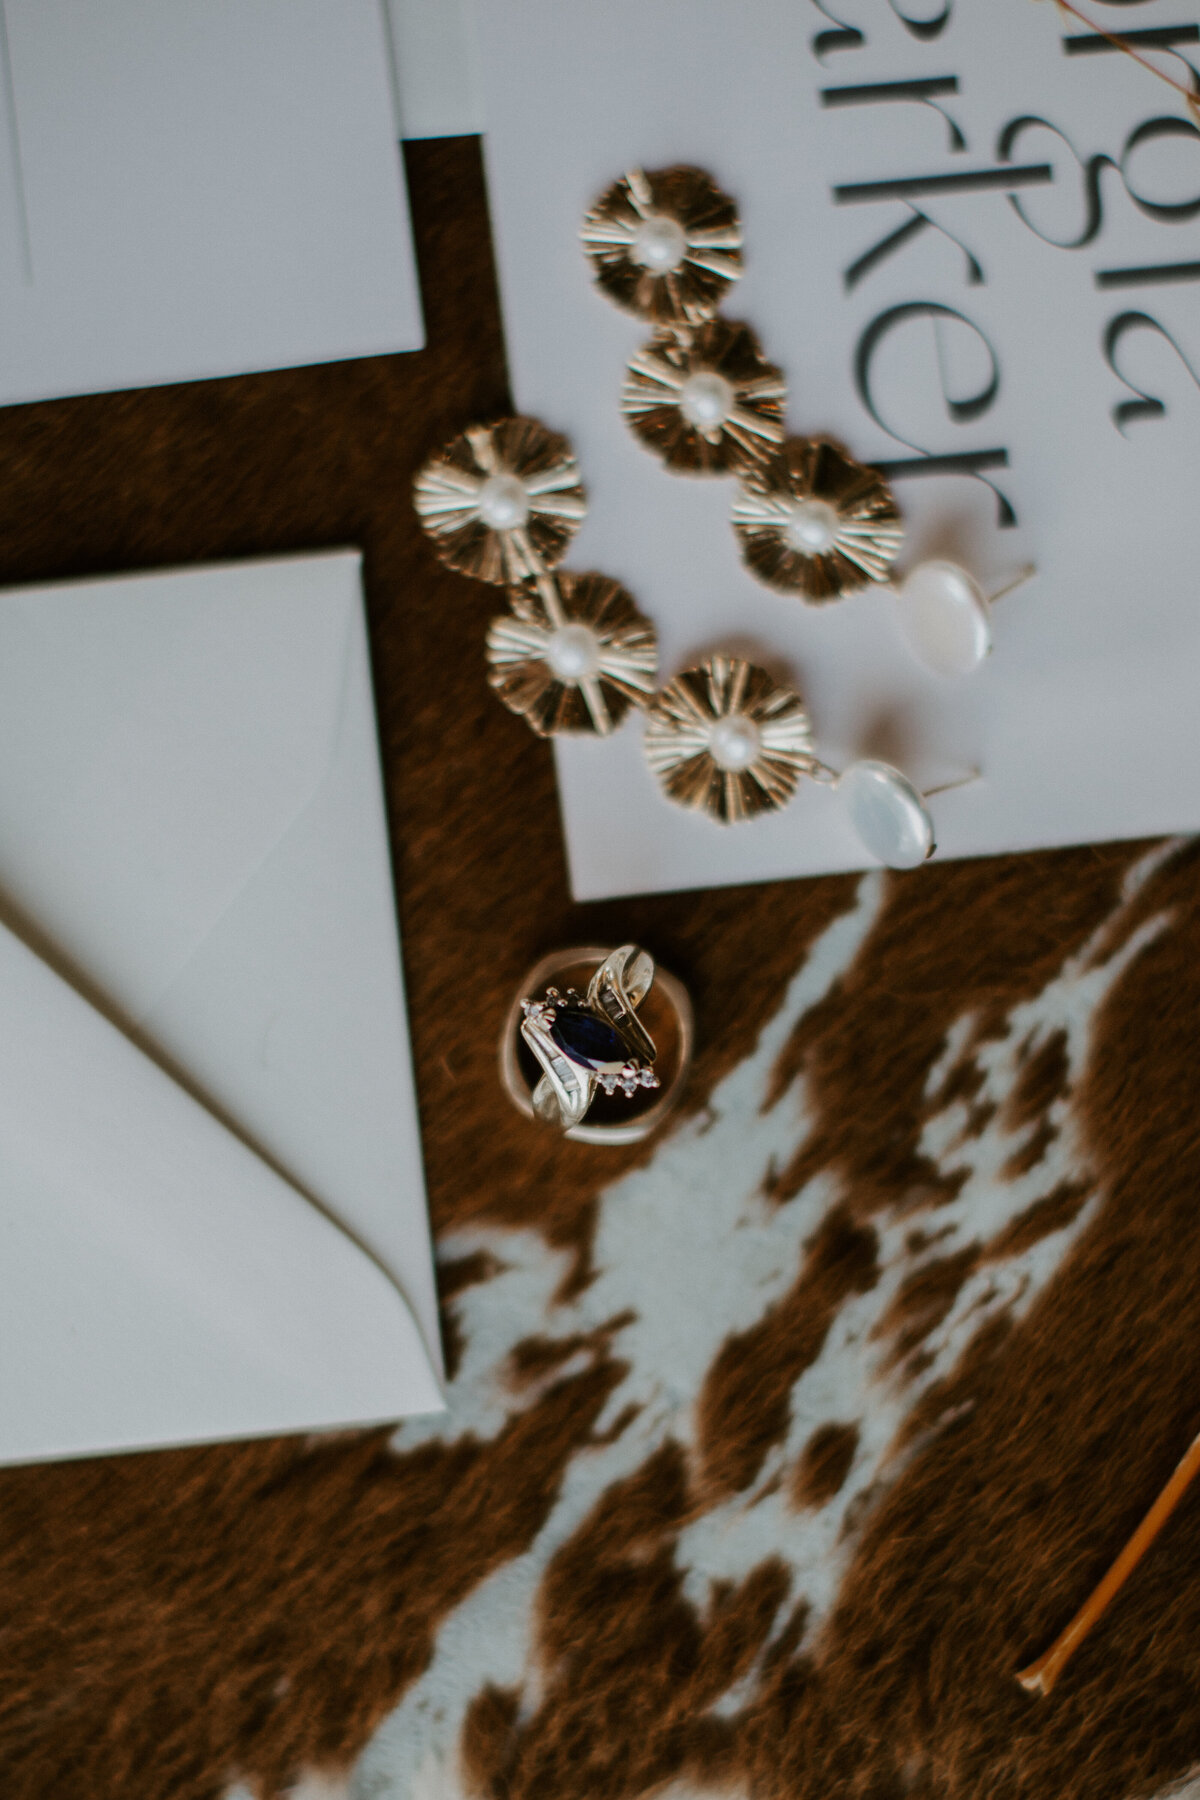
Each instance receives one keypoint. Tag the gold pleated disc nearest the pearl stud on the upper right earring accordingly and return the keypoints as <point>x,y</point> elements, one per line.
<point>816,523</point>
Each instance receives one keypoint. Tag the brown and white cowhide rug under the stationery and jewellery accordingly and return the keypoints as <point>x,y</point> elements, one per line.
<point>776,1446</point>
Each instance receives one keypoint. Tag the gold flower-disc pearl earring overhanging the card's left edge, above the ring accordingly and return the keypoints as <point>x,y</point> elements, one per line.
<point>575,652</point>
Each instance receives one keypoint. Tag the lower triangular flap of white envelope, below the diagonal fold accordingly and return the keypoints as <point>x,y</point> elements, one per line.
<point>161,1282</point>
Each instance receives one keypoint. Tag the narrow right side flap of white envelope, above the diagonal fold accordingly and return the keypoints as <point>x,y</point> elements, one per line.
<point>291,1018</point>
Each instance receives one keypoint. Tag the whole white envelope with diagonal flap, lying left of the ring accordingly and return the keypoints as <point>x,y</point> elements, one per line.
<point>211,1203</point>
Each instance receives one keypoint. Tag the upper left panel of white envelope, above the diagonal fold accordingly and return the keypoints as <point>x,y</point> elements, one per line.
<point>157,737</point>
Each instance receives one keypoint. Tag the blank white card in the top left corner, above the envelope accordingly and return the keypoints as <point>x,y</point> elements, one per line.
<point>197,188</point>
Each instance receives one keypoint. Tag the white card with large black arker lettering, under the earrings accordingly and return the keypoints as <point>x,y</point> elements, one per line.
<point>972,242</point>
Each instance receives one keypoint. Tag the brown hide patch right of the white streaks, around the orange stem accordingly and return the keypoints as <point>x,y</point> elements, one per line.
<point>1003,1524</point>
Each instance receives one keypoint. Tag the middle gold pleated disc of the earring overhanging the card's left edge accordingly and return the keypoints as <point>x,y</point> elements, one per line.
<point>573,656</point>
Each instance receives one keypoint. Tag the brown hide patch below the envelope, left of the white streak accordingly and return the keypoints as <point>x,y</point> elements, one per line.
<point>310,1585</point>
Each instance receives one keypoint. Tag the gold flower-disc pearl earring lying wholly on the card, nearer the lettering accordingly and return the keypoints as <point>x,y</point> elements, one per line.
<point>810,521</point>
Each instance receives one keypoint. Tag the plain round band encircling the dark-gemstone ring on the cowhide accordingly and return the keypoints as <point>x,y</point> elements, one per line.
<point>613,1119</point>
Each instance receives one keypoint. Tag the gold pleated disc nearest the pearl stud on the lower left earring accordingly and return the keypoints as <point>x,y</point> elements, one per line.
<point>728,741</point>
